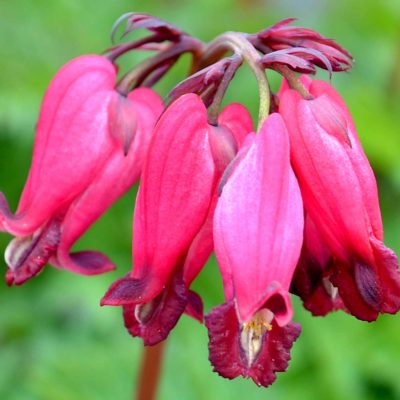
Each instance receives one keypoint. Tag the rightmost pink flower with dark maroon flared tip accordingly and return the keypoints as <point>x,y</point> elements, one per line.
<point>340,195</point>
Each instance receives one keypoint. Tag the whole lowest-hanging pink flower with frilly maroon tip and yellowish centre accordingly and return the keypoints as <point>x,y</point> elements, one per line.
<point>258,228</point>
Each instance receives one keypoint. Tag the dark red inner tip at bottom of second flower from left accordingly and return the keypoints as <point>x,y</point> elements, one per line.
<point>152,321</point>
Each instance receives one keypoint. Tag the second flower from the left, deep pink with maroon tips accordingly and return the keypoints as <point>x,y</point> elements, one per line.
<point>173,215</point>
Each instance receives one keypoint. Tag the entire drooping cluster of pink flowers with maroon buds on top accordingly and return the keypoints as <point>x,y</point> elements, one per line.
<point>288,207</point>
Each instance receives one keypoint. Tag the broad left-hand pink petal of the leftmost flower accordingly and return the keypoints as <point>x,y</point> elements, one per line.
<point>72,140</point>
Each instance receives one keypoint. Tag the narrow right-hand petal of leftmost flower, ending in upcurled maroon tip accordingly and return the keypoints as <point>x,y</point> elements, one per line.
<point>119,174</point>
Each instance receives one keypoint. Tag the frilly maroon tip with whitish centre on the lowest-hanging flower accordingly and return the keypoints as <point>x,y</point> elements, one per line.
<point>255,352</point>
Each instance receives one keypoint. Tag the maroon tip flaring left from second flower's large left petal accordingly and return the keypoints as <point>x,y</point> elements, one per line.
<point>125,291</point>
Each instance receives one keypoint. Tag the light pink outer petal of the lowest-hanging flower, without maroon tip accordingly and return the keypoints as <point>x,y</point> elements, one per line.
<point>259,223</point>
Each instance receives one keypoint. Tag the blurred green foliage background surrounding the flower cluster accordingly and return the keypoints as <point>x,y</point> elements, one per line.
<point>55,340</point>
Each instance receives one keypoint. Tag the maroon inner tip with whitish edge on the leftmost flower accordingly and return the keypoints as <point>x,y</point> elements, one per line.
<point>27,256</point>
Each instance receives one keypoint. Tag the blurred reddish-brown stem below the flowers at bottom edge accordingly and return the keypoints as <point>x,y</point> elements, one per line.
<point>150,372</point>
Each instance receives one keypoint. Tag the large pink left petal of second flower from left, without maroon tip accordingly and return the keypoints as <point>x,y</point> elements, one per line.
<point>175,192</point>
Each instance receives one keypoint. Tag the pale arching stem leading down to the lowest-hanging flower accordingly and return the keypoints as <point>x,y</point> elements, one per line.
<point>238,43</point>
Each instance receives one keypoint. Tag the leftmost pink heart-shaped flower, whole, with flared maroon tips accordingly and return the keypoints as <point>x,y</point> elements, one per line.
<point>89,148</point>
